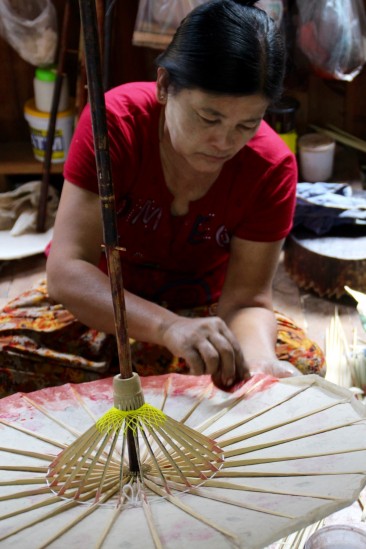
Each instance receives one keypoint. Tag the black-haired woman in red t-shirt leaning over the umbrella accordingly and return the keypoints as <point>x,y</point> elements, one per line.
<point>205,193</point>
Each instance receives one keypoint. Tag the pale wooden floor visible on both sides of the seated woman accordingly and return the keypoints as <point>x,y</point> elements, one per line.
<point>307,309</point>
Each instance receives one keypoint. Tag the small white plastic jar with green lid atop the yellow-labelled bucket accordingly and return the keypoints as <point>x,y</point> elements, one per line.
<point>44,85</point>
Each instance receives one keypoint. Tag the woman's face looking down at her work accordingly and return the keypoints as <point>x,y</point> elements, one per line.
<point>207,130</point>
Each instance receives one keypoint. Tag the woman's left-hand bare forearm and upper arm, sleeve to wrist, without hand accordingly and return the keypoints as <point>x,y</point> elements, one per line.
<point>73,276</point>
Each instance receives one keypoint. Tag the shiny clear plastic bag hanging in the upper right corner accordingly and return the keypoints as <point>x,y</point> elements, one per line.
<point>332,35</point>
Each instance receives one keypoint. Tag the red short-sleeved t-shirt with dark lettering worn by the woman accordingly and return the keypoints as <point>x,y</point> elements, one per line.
<point>180,261</point>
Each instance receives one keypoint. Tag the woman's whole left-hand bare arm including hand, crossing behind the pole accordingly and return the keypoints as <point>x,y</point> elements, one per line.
<point>75,280</point>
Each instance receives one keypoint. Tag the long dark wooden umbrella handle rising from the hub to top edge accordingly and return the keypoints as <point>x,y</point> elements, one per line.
<point>105,184</point>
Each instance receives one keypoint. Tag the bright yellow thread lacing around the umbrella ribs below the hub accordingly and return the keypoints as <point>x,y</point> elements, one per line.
<point>114,419</point>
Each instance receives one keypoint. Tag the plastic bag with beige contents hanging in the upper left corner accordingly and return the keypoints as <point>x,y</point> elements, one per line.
<point>30,27</point>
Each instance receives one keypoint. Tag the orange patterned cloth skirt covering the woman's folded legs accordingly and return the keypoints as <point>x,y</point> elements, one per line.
<point>43,345</point>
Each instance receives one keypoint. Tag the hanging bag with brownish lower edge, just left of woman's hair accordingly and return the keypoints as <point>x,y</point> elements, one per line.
<point>157,20</point>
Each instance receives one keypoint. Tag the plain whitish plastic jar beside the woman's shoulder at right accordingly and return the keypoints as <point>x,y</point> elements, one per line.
<point>316,155</point>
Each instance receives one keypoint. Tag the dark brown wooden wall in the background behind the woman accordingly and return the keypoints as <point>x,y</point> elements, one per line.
<point>322,101</point>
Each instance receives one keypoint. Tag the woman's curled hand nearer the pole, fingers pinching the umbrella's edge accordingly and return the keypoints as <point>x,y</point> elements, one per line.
<point>208,347</point>
